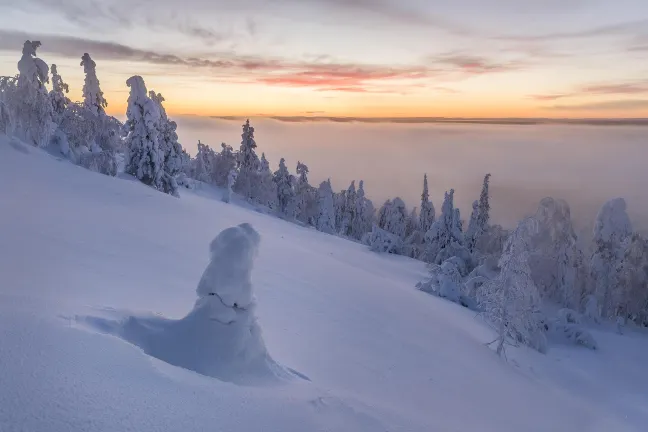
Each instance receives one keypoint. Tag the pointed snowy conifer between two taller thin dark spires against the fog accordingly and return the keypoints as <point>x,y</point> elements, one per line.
<point>444,238</point>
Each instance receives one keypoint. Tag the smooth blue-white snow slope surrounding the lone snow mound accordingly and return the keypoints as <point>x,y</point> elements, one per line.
<point>375,354</point>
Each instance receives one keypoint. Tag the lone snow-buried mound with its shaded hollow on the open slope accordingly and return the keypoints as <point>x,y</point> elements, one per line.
<point>220,337</point>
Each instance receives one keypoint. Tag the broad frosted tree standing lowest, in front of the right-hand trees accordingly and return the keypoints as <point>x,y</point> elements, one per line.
<point>511,301</point>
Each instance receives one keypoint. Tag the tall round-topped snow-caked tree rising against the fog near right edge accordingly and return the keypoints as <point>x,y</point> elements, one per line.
<point>611,229</point>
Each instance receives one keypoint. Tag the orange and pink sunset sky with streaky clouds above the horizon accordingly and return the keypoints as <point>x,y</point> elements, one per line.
<point>362,58</point>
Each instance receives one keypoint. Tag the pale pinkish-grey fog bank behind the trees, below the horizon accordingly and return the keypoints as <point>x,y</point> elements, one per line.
<point>584,165</point>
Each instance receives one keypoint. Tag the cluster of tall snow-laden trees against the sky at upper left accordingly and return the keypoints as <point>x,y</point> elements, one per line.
<point>82,131</point>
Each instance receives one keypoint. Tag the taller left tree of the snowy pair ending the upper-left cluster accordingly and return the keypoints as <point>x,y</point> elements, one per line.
<point>145,158</point>
